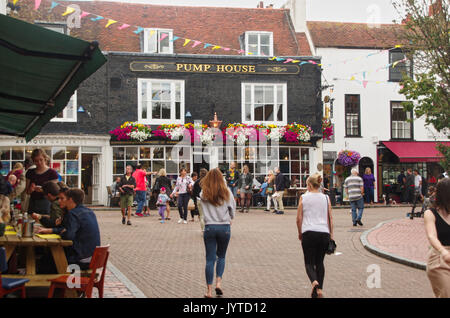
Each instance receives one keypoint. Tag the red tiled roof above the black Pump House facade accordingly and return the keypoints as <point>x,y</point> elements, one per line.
<point>214,25</point>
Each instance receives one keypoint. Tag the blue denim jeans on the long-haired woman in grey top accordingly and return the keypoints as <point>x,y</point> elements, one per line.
<point>216,238</point>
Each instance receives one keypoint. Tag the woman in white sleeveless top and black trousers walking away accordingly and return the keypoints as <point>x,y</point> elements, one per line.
<point>314,231</point>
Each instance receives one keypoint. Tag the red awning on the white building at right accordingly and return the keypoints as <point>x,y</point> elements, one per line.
<point>415,151</point>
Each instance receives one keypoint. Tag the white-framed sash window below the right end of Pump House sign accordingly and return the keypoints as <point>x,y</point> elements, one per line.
<point>264,103</point>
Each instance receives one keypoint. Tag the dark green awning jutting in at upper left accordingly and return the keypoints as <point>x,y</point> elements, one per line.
<point>40,70</point>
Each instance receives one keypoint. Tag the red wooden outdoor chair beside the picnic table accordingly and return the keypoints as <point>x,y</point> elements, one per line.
<point>99,260</point>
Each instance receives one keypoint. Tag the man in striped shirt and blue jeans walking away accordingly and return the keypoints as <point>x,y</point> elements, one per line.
<point>354,186</point>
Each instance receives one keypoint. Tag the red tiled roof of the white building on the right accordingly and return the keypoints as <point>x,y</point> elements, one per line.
<point>355,35</point>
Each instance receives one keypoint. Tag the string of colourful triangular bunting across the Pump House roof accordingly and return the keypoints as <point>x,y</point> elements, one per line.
<point>138,29</point>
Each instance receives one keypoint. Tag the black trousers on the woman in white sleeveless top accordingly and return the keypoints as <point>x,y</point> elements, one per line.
<point>314,246</point>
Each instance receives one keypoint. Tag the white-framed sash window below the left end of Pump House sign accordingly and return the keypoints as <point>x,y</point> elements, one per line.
<point>160,101</point>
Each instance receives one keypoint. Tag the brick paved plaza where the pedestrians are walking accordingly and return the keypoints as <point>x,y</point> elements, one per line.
<point>264,258</point>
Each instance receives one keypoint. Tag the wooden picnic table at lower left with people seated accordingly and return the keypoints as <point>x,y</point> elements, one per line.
<point>12,242</point>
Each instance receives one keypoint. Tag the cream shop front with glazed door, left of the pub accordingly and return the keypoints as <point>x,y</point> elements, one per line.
<point>77,159</point>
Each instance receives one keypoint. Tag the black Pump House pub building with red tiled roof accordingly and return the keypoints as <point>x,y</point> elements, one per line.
<point>154,79</point>
